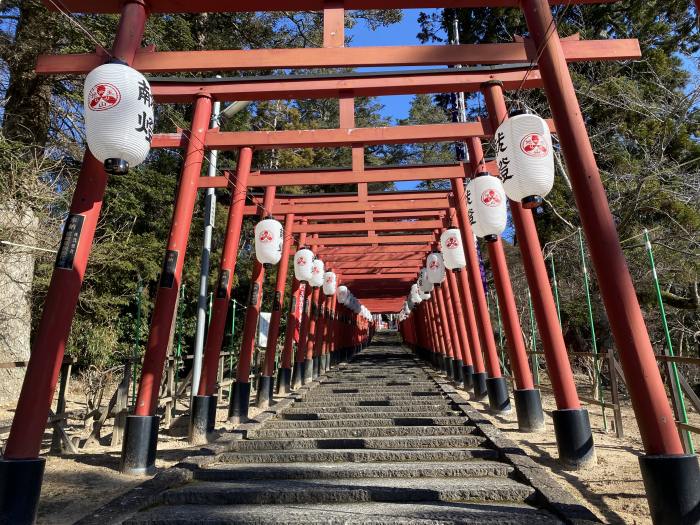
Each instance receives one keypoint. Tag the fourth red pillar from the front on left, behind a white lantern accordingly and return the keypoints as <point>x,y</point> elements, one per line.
<point>240,400</point>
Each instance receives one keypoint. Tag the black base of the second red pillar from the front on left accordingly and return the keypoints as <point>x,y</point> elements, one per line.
<point>139,446</point>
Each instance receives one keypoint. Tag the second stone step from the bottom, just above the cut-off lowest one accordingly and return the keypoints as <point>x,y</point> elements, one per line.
<point>264,492</point>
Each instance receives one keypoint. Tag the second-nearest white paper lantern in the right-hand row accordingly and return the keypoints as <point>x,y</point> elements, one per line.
<point>487,206</point>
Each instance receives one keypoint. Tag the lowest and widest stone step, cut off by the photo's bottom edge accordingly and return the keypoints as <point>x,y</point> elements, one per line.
<point>346,514</point>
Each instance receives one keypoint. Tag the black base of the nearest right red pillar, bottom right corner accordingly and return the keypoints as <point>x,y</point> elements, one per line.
<point>672,485</point>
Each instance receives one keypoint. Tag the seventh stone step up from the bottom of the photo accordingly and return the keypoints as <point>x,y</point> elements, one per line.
<point>342,421</point>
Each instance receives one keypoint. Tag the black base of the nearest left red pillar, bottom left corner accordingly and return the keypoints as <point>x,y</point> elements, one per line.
<point>20,488</point>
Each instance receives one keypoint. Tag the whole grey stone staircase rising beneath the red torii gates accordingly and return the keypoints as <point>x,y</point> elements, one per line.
<point>375,441</point>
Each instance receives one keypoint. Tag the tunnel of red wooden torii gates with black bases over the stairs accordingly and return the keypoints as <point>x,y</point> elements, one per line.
<point>375,242</point>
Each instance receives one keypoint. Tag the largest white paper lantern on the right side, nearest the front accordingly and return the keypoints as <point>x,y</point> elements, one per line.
<point>525,158</point>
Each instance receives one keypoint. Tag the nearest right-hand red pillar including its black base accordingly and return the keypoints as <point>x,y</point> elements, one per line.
<point>671,478</point>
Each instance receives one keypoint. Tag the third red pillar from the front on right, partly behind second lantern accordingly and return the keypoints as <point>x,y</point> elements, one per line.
<point>528,402</point>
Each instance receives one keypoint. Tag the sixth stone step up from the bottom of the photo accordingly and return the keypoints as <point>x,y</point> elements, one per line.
<point>362,432</point>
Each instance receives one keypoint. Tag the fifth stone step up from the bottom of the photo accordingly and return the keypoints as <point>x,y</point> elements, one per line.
<point>388,443</point>
